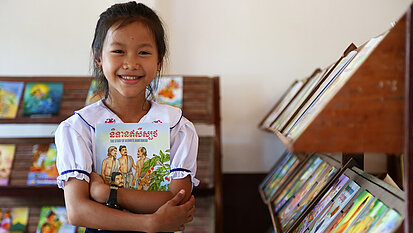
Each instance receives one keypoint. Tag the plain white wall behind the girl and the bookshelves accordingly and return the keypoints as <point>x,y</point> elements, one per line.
<point>257,48</point>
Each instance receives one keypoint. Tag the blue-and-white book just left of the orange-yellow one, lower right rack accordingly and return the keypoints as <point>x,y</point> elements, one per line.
<point>334,207</point>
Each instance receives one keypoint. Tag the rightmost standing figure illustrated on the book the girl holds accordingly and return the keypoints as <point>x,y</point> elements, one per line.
<point>143,181</point>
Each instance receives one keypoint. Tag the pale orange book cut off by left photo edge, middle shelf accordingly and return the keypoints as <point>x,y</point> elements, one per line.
<point>6,161</point>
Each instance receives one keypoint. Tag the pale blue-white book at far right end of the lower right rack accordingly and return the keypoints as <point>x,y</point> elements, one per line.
<point>388,223</point>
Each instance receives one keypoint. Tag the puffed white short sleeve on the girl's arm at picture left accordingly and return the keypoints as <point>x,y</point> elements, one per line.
<point>74,153</point>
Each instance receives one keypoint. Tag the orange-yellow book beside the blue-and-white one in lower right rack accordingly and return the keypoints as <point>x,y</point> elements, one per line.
<point>350,215</point>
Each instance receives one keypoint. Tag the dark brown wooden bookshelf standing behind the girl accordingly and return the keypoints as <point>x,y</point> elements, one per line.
<point>200,105</point>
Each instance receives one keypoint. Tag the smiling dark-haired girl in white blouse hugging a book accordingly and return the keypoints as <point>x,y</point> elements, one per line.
<point>128,51</point>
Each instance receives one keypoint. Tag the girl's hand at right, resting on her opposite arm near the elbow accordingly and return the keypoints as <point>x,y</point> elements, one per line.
<point>171,216</point>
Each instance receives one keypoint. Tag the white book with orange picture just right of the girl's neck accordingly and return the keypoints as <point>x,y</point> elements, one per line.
<point>170,91</point>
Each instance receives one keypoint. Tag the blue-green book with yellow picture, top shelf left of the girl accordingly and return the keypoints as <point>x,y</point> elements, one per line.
<point>42,98</point>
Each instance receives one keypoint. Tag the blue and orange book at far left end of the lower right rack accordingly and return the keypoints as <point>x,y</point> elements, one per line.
<point>278,174</point>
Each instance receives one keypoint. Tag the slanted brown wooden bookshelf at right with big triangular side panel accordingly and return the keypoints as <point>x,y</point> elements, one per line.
<point>369,112</point>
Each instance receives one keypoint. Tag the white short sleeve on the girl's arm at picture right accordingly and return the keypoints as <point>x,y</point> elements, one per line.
<point>184,151</point>
